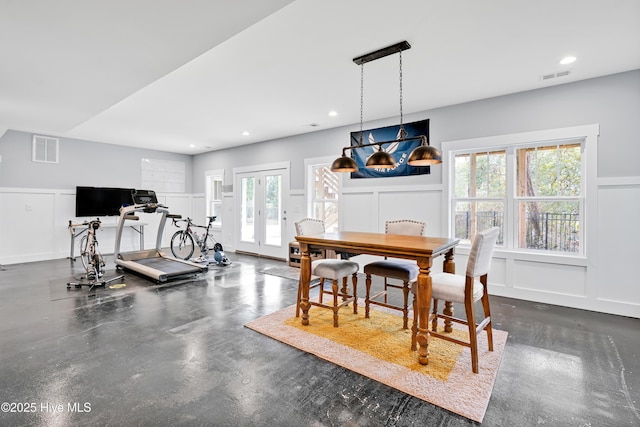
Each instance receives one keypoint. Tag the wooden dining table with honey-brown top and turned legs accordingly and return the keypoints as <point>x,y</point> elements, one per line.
<point>422,249</point>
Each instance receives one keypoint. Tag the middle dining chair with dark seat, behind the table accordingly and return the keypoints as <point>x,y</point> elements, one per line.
<point>394,269</point>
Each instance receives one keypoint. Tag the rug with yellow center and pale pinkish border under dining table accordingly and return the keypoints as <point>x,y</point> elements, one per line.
<point>379,348</point>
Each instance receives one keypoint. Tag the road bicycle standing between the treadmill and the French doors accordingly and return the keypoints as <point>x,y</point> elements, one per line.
<point>183,242</point>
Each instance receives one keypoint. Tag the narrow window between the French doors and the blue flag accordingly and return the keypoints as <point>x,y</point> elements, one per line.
<point>323,194</point>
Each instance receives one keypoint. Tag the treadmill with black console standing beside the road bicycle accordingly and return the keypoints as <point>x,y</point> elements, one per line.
<point>153,263</point>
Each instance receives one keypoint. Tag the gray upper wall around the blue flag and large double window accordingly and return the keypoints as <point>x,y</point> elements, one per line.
<point>611,101</point>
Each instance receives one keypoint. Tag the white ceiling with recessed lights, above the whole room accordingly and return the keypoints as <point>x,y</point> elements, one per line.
<point>190,76</point>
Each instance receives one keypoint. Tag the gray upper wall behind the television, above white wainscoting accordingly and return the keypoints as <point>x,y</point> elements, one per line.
<point>81,163</point>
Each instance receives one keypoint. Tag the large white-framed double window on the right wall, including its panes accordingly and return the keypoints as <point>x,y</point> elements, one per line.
<point>532,186</point>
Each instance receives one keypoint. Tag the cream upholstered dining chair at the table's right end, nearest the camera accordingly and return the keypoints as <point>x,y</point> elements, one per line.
<point>466,290</point>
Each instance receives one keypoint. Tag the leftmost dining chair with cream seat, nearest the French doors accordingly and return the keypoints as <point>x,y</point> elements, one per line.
<point>332,269</point>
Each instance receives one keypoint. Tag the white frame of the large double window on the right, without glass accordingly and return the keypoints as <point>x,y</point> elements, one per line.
<point>510,142</point>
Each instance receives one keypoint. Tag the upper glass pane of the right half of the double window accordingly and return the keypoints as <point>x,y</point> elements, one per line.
<point>549,171</point>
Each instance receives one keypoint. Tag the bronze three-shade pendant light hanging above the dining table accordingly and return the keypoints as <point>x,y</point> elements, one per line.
<point>381,159</point>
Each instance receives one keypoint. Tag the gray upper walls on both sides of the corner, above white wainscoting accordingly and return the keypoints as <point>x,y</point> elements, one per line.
<point>611,101</point>
